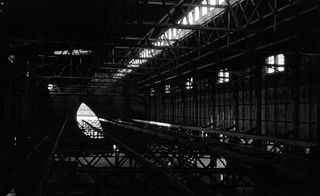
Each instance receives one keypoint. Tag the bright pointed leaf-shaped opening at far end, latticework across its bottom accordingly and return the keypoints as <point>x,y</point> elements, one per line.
<point>89,123</point>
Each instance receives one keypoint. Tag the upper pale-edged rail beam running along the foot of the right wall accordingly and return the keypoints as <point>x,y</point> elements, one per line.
<point>269,144</point>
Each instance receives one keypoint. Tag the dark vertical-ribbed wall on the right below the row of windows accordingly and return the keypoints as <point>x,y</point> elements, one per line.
<point>284,104</point>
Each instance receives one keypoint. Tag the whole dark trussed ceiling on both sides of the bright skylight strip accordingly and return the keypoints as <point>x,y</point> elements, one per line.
<point>117,30</point>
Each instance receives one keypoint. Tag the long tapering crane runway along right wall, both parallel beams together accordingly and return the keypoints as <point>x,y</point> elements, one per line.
<point>286,157</point>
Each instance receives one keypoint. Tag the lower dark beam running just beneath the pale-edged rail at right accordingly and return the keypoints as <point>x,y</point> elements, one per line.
<point>225,148</point>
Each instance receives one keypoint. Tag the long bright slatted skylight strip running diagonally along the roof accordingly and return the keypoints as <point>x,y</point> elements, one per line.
<point>196,16</point>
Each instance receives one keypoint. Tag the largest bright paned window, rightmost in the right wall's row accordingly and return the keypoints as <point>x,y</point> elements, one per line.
<point>275,64</point>
